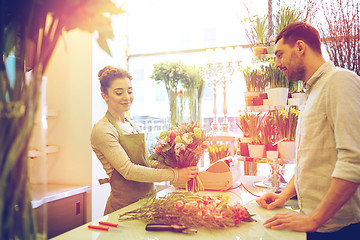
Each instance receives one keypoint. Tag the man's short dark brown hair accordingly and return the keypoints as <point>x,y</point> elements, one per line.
<point>300,31</point>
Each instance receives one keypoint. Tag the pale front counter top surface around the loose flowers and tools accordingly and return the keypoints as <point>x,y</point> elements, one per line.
<point>245,231</point>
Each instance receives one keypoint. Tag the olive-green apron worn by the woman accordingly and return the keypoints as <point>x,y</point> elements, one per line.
<point>124,192</point>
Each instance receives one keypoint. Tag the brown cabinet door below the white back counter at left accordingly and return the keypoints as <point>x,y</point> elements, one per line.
<point>66,214</point>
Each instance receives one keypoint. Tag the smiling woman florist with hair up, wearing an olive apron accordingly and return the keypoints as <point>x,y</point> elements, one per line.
<point>119,145</point>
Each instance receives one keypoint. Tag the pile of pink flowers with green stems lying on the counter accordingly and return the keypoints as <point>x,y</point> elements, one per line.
<point>190,210</point>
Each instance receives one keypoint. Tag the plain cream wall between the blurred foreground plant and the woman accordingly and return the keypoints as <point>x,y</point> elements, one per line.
<point>69,93</point>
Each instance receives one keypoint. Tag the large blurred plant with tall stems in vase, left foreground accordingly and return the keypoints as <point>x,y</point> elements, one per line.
<point>29,32</point>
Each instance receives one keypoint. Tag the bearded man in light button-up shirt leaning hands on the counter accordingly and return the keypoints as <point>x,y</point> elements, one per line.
<point>327,174</point>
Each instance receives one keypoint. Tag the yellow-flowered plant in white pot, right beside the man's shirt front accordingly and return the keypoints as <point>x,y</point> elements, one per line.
<point>286,122</point>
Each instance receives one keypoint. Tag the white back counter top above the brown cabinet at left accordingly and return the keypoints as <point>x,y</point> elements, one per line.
<point>42,194</point>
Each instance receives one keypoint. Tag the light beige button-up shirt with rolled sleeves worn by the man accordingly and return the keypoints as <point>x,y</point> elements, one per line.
<point>328,142</point>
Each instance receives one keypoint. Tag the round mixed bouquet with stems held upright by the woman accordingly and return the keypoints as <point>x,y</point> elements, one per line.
<point>182,146</point>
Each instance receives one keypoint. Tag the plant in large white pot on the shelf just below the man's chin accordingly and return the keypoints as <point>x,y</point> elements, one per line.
<point>279,85</point>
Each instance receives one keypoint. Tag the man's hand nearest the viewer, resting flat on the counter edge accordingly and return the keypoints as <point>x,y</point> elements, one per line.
<point>293,221</point>
